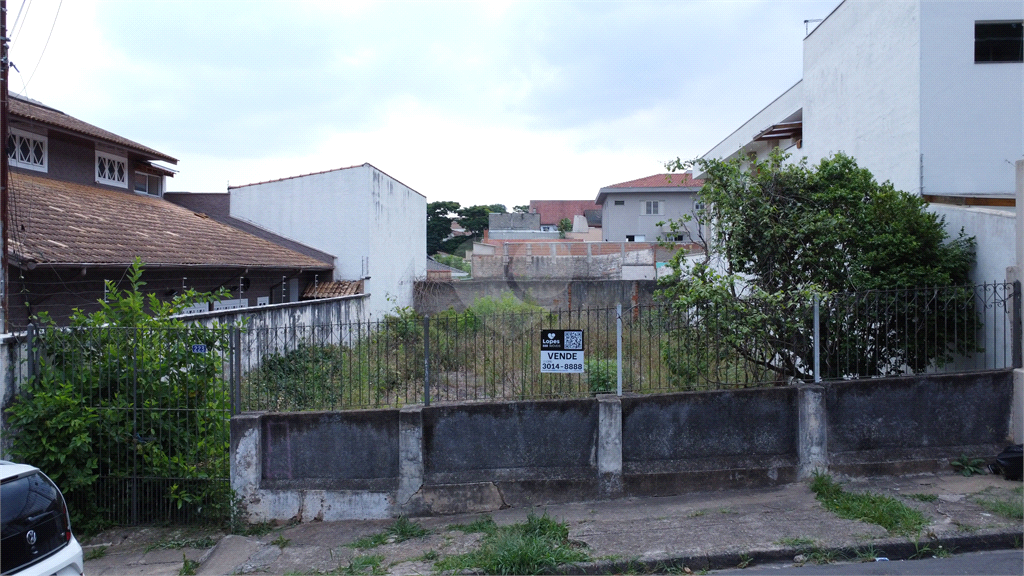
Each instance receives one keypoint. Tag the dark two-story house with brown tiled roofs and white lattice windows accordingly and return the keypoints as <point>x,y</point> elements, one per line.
<point>86,202</point>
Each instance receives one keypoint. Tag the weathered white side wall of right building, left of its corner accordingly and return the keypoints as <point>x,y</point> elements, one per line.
<point>862,90</point>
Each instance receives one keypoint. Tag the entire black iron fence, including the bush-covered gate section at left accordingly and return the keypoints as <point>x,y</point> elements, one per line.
<point>146,414</point>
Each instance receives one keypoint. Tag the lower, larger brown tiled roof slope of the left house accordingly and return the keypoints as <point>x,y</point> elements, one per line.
<point>58,223</point>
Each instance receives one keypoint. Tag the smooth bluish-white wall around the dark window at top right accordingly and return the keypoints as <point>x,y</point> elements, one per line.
<point>972,115</point>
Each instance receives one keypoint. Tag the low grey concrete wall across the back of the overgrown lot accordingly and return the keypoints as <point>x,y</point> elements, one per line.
<point>434,298</point>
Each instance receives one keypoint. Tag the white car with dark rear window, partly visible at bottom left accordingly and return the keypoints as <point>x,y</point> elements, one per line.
<point>36,526</point>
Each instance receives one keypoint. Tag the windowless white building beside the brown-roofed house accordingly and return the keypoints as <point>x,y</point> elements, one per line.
<point>375,227</point>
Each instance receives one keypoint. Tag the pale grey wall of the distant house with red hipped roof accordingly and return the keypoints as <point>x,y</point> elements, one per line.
<point>629,220</point>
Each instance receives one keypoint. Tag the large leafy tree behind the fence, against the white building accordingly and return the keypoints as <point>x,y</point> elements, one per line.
<point>784,234</point>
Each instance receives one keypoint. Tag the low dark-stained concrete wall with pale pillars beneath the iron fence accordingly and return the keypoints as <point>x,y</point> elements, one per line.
<point>479,458</point>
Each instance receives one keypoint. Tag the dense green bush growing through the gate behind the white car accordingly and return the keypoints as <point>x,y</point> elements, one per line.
<point>122,393</point>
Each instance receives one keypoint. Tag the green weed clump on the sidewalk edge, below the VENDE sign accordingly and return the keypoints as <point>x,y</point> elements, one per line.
<point>540,545</point>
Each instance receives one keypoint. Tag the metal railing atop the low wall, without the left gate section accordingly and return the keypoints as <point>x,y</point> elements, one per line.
<point>496,356</point>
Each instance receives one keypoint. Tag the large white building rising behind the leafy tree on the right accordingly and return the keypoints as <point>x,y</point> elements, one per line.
<point>926,95</point>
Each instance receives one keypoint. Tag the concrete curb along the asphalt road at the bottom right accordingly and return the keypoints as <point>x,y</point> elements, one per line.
<point>894,551</point>
